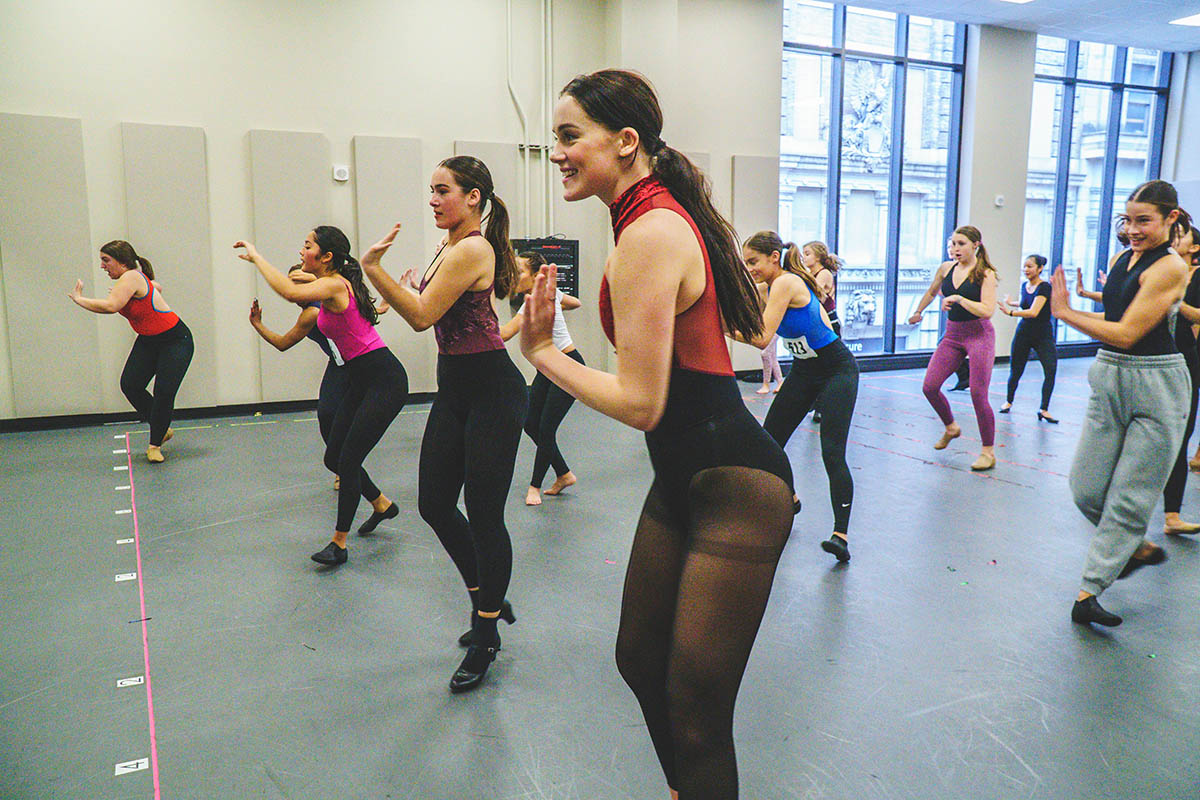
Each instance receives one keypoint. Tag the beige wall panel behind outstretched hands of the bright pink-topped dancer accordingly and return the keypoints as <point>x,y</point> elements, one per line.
<point>291,175</point>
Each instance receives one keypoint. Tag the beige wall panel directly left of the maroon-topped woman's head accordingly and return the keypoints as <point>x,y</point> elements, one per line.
<point>391,182</point>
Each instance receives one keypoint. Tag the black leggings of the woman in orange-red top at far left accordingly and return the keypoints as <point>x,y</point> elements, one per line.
<point>165,358</point>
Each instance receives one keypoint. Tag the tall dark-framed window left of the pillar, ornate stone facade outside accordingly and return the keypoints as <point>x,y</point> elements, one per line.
<point>869,146</point>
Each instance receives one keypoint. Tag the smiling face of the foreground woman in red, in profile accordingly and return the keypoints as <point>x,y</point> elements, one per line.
<point>590,157</point>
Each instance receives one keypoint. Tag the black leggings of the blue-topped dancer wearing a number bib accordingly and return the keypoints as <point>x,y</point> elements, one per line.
<point>830,382</point>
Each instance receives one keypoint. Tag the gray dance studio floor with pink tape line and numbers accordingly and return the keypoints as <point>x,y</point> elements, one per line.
<point>939,664</point>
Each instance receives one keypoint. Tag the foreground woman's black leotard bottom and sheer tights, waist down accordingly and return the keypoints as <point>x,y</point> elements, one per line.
<point>700,573</point>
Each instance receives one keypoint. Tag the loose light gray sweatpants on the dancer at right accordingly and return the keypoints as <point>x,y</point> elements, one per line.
<point>1132,435</point>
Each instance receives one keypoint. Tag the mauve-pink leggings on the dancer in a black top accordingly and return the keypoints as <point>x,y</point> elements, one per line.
<point>975,339</point>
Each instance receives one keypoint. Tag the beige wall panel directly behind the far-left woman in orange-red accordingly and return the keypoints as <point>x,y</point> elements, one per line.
<point>167,213</point>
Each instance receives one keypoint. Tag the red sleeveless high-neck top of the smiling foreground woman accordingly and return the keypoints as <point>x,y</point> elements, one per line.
<point>699,336</point>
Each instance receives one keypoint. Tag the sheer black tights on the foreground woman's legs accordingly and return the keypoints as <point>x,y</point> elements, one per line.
<point>695,594</point>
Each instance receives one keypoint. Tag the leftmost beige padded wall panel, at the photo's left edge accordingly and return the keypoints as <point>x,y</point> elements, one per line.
<point>45,248</point>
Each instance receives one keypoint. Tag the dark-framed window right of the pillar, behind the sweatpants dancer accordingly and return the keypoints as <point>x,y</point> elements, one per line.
<point>1096,134</point>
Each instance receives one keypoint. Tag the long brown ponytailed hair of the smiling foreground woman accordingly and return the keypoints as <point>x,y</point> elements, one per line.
<point>617,100</point>
